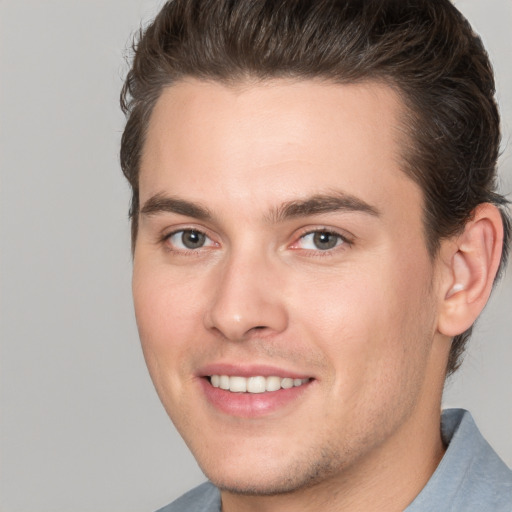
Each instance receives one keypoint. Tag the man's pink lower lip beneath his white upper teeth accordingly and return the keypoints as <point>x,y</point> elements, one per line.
<point>251,405</point>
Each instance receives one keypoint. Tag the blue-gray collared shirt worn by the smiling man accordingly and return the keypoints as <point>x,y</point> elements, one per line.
<point>470,477</point>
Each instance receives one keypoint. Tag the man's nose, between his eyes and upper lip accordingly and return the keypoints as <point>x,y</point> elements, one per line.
<point>247,299</point>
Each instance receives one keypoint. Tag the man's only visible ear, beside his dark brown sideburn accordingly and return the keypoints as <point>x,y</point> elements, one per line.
<point>470,262</point>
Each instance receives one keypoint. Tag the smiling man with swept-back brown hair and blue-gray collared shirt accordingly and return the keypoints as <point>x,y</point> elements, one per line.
<point>315,230</point>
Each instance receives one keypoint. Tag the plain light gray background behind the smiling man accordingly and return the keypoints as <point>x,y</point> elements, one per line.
<point>81,427</point>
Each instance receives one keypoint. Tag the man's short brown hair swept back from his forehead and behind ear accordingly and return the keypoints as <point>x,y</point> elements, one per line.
<point>425,50</point>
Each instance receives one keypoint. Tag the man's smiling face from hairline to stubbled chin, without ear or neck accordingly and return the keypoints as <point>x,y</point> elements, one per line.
<point>278,239</point>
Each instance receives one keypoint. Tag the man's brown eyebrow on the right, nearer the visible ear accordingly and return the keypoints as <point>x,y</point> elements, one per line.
<point>322,203</point>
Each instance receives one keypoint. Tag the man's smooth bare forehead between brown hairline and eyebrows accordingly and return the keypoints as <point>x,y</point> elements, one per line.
<point>244,142</point>
